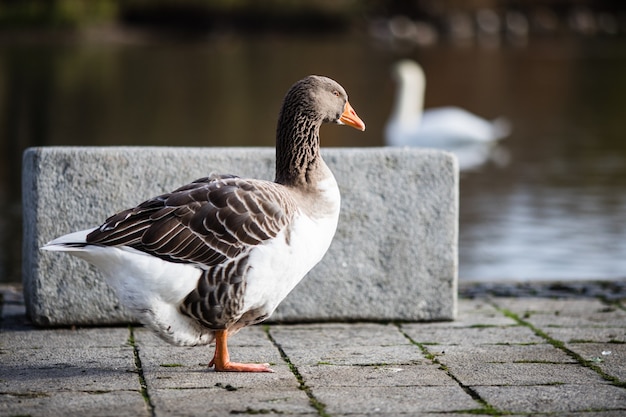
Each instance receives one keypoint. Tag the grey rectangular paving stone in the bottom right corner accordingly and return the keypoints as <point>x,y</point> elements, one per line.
<point>554,399</point>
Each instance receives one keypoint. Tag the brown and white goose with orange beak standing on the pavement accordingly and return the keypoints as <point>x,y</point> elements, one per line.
<point>198,264</point>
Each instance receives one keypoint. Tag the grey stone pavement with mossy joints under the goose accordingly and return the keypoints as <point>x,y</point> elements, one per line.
<point>511,355</point>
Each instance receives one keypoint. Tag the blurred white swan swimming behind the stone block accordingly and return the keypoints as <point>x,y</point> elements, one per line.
<point>451,128</point>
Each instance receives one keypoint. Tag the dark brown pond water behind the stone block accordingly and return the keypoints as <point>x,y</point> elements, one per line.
<point>553,208</point>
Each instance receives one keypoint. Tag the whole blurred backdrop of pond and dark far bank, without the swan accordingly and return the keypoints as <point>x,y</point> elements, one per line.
<point>549,203</point>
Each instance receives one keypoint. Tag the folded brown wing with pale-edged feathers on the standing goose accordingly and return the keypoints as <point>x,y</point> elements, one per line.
<point>205,222</point>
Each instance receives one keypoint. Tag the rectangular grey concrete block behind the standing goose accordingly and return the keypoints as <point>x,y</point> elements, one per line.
<point>394,256</point>
